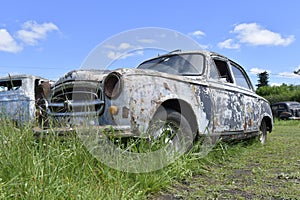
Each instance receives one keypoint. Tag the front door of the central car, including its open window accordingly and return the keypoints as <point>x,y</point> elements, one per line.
<point>228,106</point>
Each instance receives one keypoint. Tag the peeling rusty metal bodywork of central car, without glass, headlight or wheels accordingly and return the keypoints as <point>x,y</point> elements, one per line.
<point>217,107</point>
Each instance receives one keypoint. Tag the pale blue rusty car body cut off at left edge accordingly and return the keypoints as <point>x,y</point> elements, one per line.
<point>20,95</point>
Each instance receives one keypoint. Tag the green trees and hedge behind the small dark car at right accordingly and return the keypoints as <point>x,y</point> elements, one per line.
<point>275,94</point>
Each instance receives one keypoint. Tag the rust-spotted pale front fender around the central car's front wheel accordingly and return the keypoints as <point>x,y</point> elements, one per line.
<point>142,95</point>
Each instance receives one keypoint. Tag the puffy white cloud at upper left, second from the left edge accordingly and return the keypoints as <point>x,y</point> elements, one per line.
<point>32,32</point>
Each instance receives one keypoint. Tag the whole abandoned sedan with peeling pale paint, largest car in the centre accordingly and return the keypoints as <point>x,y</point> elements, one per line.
<point>190,93</point>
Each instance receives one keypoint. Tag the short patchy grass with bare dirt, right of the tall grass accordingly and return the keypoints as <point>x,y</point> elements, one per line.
<point>249,170</point>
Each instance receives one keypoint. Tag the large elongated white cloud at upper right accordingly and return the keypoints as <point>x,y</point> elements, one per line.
<point>255,34</point>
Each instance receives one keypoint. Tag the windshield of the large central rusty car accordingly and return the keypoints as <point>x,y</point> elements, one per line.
<point>182,64</point>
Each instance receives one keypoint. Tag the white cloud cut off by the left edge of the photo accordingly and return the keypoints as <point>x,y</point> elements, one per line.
<point>7,42</point>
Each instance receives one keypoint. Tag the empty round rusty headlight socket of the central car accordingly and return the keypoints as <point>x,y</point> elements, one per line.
<point>113,85</point>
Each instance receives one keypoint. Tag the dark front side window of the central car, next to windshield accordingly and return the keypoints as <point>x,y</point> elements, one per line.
<point>221,71</point>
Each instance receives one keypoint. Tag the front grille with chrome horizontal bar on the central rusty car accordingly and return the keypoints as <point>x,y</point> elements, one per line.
<point>76,99</point>
